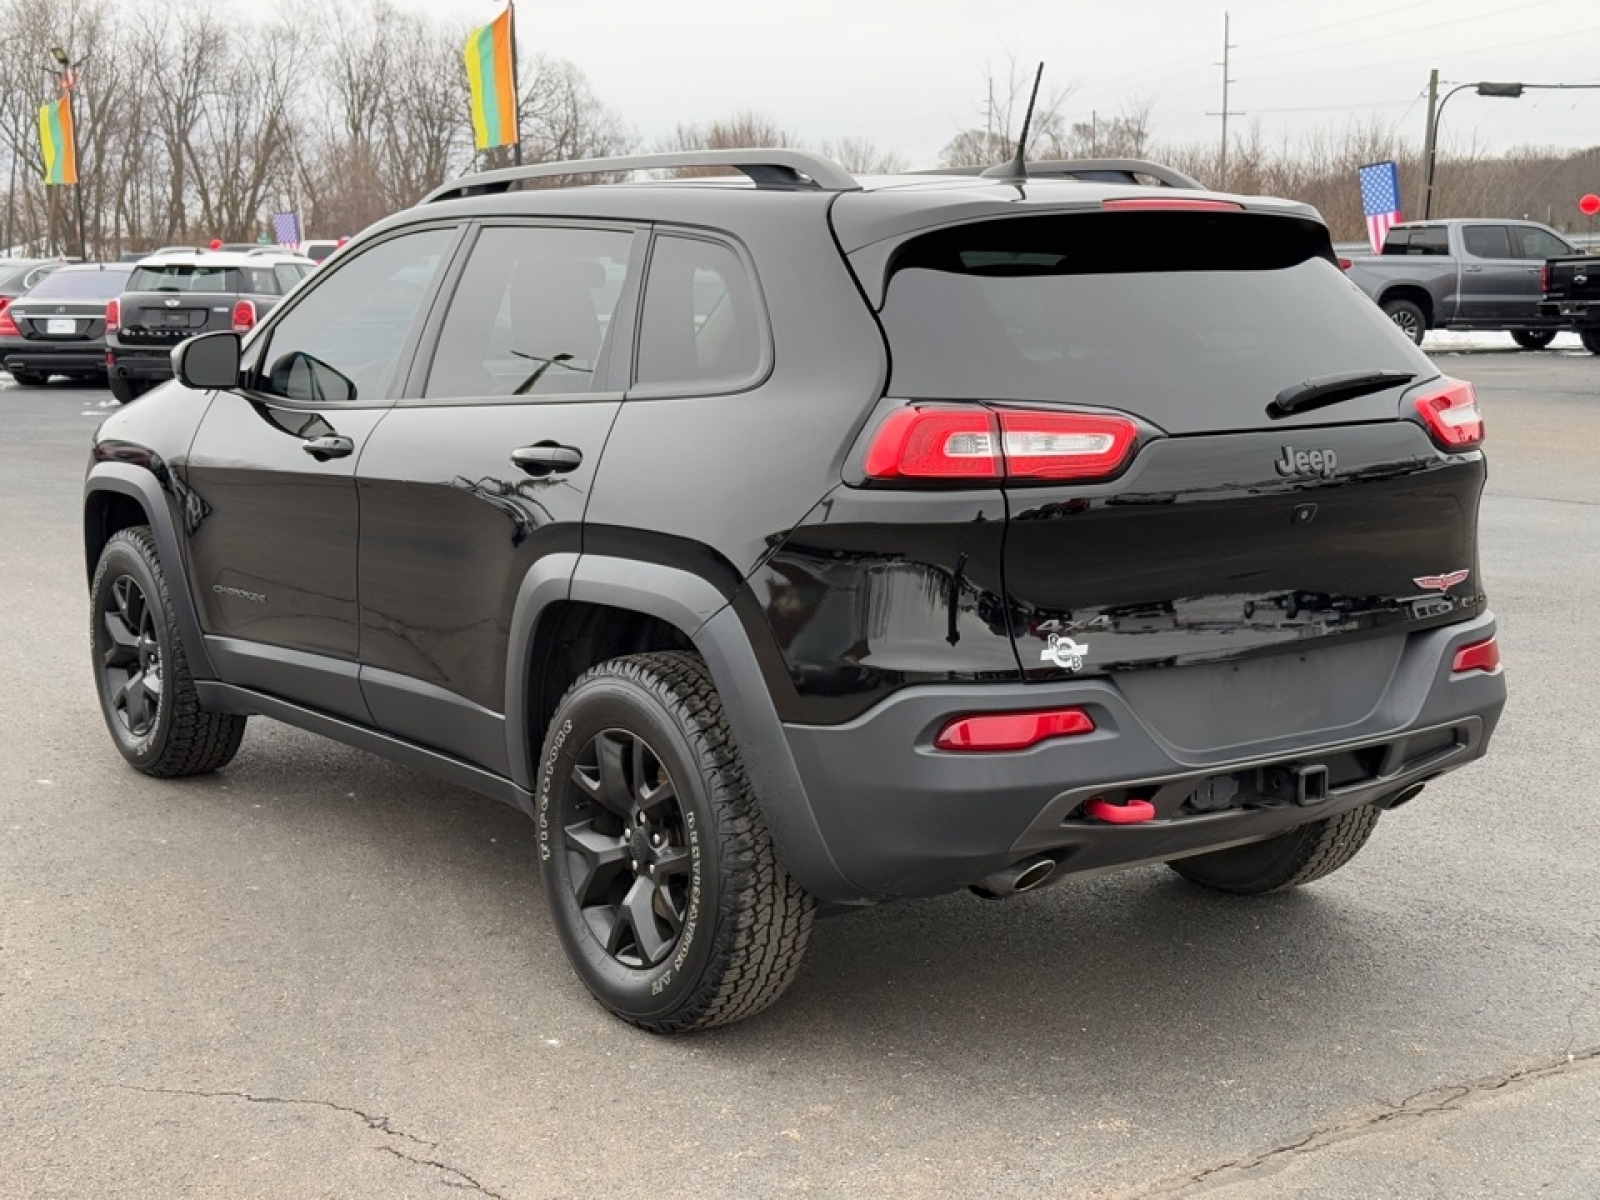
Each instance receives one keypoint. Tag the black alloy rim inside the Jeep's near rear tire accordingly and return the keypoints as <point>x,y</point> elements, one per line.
<point>628,849</point>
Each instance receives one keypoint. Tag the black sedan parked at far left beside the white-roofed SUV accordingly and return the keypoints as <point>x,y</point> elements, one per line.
<point>58,327</point>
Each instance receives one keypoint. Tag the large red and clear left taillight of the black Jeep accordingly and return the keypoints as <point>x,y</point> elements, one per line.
<point>956,444</point>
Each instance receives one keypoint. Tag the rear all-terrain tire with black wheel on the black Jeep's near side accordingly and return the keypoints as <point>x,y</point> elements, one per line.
<point>658,866</point>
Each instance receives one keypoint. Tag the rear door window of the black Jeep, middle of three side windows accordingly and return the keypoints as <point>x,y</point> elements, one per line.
<point>532,313</point>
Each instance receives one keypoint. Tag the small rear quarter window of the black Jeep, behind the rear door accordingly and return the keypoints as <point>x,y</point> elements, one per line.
<point>700,326</point>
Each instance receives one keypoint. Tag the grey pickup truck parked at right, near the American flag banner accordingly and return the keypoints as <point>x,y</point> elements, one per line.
<point>1465,276</point>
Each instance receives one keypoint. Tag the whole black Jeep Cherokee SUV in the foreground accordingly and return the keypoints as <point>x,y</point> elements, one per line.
<point>796,542</point>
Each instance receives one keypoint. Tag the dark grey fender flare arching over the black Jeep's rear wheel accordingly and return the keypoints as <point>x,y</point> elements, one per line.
<point>698,609</point>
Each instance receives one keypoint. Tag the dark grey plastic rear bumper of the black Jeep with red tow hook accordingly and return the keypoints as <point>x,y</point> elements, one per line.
<point>902,818</point>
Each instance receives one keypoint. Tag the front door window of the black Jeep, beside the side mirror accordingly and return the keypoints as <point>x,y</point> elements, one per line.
<point>343,340</point>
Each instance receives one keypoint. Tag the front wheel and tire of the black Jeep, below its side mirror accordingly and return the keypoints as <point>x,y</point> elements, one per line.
<point>146,692</point>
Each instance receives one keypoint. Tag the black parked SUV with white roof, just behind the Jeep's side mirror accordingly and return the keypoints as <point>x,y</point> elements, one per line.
<point>175,295</point>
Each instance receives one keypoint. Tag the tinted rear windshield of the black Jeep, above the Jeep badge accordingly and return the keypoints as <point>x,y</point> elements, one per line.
<point>1193,321</point>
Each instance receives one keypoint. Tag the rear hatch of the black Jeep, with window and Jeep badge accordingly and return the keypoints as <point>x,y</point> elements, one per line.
<point>1225,532</point>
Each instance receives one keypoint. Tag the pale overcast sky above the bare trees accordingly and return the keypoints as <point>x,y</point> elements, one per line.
<point>910,74</point>
